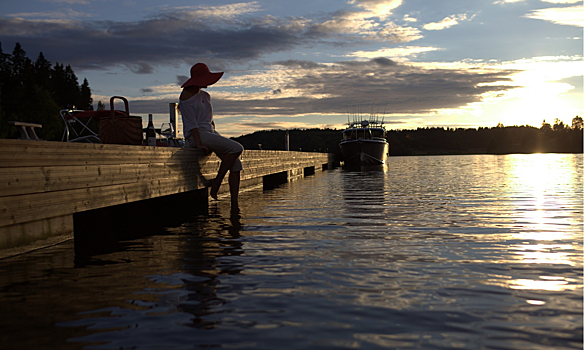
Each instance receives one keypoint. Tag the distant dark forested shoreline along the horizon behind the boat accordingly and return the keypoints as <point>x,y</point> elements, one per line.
<point>556,138</point>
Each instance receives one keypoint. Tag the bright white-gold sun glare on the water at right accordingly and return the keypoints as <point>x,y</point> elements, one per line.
<point>546,218</point>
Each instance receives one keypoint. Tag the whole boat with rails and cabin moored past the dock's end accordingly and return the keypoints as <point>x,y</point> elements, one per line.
<point>364,143</point>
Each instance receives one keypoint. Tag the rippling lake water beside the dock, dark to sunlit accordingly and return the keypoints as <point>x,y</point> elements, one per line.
<point>446,252</point>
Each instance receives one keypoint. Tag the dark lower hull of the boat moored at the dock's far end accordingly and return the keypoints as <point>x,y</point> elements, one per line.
<point>364,152</point>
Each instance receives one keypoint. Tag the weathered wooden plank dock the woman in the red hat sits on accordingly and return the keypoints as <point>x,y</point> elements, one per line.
<point>43,184</point>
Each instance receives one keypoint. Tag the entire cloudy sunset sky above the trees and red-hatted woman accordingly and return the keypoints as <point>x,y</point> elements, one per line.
<point>318,64</point>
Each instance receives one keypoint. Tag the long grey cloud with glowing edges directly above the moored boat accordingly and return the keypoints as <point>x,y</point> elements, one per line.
<point>405,89</point>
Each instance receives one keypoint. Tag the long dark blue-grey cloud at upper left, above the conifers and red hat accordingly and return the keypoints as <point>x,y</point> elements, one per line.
<point>167,39</point>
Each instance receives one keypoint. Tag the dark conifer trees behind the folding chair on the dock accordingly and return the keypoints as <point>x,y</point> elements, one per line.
<point>35,91</point>
